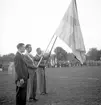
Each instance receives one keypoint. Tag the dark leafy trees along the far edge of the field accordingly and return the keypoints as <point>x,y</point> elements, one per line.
<point>60,54</point>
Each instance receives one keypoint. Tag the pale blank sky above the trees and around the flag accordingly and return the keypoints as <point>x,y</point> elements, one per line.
<point>35,21</point>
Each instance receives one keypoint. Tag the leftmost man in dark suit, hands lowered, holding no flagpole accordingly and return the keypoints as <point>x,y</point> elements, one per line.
<point>22,75</point>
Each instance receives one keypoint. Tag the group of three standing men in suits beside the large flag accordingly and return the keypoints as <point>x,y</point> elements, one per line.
<point>29,74</point>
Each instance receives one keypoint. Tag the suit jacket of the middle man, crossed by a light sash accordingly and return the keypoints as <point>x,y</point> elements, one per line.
<point>29,63</point>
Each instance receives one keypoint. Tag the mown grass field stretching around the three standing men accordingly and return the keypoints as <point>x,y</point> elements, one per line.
<point>65,86</point>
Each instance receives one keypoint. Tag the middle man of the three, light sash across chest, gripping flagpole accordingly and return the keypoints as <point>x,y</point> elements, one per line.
<point>32,81</point>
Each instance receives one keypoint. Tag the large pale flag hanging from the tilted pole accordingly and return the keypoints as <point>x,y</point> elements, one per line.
<point>69,31</point>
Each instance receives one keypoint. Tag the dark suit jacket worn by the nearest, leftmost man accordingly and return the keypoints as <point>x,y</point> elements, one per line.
<point>20,67</point>
